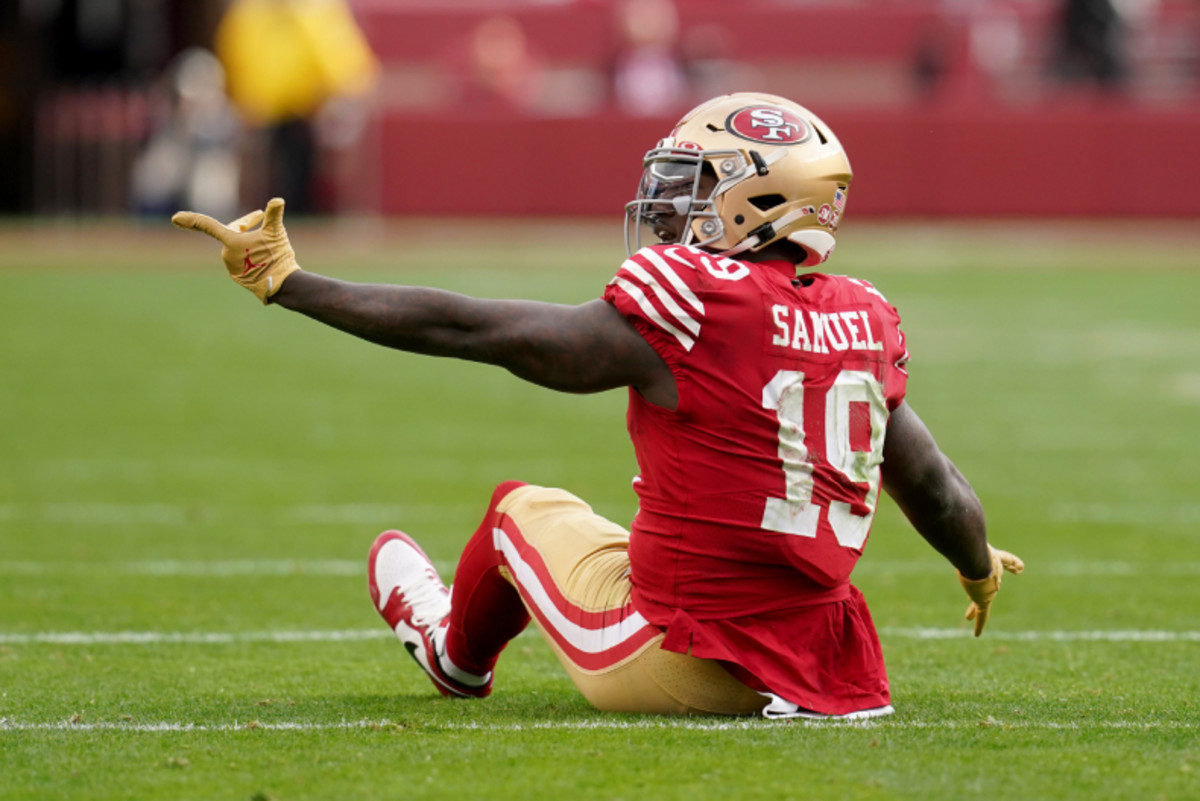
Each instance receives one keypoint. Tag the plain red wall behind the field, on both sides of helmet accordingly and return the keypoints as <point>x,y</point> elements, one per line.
<point>1113,161</point>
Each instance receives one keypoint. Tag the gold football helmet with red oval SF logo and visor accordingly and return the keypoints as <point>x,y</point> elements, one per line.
<point>741,172</point>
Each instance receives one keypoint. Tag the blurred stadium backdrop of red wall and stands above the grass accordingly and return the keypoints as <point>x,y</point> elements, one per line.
<point>962,109</point>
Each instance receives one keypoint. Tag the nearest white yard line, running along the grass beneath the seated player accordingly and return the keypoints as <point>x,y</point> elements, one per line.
<point>591,726</point>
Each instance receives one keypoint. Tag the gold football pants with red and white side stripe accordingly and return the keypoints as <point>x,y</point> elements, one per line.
<point>572,569</point>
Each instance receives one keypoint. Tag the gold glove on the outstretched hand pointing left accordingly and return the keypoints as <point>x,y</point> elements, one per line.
<point>259,260</point>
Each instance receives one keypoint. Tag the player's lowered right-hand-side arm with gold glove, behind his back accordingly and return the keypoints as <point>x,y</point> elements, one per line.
<point>943,507</point>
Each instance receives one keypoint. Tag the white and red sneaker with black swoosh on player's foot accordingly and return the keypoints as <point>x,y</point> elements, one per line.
<point>411,598</point>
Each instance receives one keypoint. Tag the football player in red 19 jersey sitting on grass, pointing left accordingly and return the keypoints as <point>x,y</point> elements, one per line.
<point>766,408</point>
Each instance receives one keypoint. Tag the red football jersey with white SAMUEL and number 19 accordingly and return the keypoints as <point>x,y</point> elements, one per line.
<point>757,495</point>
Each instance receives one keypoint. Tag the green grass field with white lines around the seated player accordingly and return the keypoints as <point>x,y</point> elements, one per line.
<point>190,484</point>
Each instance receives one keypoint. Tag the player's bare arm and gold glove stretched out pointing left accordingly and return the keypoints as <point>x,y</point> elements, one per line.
<point>586,348</point>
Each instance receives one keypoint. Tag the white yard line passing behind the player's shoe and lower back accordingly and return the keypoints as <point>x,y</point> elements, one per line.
<point>357,635</point>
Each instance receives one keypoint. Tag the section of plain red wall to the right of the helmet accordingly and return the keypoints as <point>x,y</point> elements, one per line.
<point>1117,161</point>
